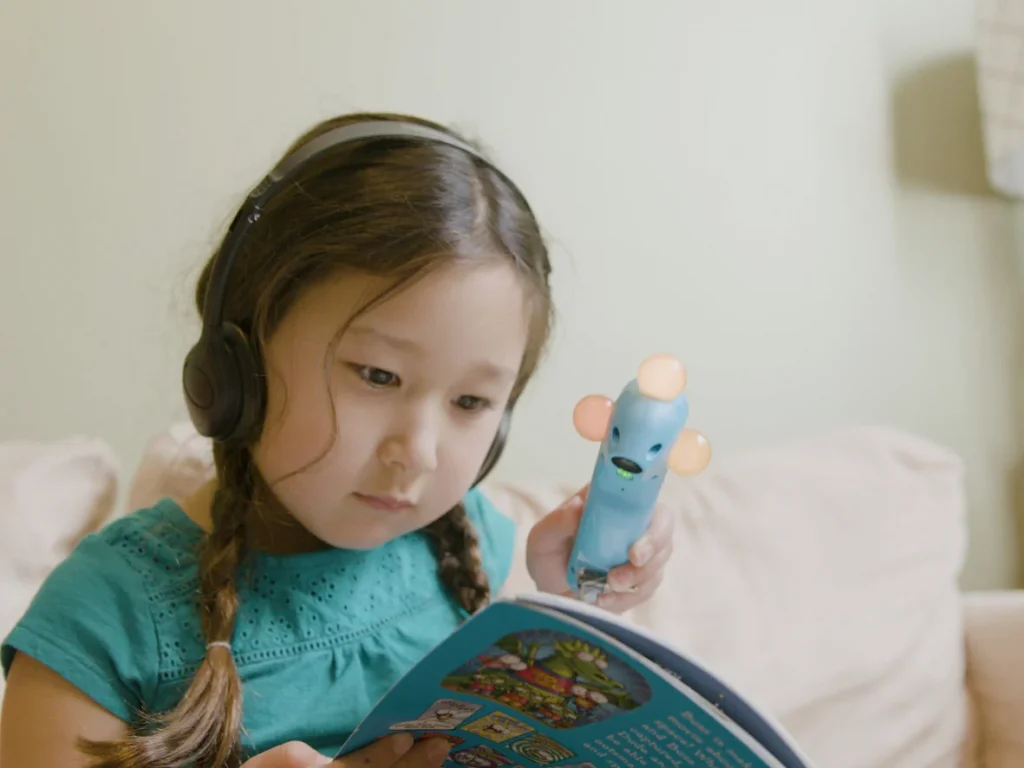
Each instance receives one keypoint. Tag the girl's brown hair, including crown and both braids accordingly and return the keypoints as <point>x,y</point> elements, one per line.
<point>386,207</point>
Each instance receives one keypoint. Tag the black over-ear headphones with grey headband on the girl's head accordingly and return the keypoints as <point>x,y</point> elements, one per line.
<point>224,386</point>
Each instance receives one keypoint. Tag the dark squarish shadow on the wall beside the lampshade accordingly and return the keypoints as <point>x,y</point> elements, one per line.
<point>936,125</point>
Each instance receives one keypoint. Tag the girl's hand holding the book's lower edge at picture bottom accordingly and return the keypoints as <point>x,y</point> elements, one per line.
<point>391,752</point>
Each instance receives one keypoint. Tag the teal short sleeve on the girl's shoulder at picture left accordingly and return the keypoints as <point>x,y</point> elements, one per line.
<point>91,623</point>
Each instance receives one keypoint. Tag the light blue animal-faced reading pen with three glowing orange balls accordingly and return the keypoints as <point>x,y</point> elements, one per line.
<point>643,437</point>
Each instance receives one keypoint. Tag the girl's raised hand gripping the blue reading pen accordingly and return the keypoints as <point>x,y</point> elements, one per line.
<point>550,544</point>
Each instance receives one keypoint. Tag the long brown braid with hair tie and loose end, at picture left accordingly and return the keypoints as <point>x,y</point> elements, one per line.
<point>203,730</point>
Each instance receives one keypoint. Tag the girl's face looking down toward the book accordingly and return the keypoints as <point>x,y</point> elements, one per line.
<point>417,385</point>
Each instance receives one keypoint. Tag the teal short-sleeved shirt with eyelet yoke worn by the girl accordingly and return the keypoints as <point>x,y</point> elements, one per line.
<point>318,641</point>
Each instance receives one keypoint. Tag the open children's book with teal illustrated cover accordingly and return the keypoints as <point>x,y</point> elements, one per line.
<point>538,680</point>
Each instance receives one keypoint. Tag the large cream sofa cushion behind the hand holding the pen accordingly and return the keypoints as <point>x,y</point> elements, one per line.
<point>821,578</point>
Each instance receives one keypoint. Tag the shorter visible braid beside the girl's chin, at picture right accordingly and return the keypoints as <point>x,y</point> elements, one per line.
<point>460,565</point>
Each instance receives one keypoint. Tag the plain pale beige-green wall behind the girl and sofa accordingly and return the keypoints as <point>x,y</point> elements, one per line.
<point>789,195</point>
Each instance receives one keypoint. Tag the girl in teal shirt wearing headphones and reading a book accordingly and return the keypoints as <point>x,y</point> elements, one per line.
<point>369,325</point>
